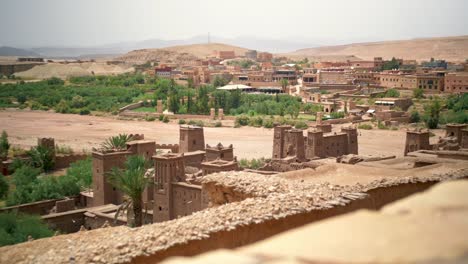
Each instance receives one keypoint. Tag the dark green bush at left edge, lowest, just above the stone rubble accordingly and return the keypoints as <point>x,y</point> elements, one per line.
<point>16,228</point>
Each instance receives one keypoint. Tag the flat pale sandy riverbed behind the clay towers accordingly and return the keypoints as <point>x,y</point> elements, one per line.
<point>85,132</point>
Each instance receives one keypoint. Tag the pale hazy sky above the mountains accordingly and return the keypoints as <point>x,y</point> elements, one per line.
<point>93,22</point>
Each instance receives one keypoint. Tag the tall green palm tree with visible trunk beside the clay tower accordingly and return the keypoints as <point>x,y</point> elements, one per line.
<point>132,182</point>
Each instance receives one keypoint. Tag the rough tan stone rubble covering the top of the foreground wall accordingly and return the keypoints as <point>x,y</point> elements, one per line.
<point>274,198</point>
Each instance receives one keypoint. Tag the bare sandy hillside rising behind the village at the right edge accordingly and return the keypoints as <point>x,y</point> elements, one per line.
<point>448,48</point>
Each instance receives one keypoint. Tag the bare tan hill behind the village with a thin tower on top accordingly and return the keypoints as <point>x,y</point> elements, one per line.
<point>178,53</point>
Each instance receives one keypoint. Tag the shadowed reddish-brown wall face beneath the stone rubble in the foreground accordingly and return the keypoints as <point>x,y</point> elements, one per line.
<point>243,235</point>
